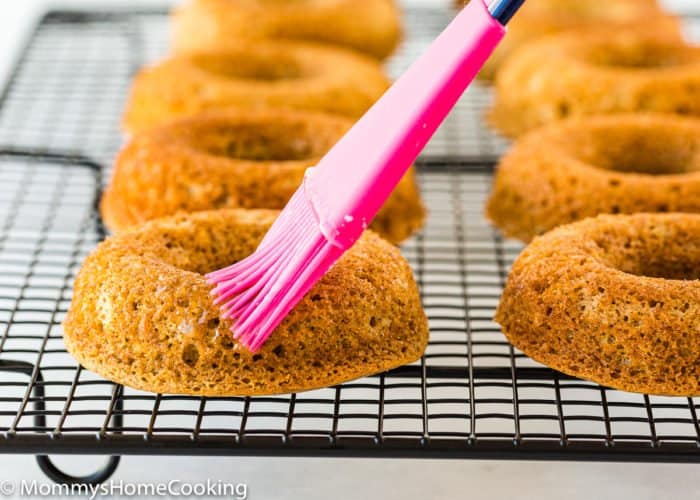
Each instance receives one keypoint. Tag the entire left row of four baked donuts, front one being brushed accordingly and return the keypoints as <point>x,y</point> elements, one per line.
<point>222,130</point>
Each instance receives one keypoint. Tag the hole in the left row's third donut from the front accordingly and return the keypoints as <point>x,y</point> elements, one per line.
<point>252,66</point>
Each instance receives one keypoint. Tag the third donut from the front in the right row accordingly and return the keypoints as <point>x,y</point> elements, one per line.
<point>594,73</point>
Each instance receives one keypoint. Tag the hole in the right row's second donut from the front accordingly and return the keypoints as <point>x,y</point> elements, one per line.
<point>638,150</point>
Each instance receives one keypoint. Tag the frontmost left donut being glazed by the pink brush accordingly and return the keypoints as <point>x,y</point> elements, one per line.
<point>142,314</point>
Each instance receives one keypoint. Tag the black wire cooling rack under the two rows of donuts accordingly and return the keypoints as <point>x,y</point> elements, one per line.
<point>472,394</point>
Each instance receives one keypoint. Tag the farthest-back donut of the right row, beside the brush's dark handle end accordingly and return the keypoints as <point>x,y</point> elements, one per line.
<point>537,18</point>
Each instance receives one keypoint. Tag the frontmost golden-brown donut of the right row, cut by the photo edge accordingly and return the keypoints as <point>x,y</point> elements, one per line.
<point>613,299</point>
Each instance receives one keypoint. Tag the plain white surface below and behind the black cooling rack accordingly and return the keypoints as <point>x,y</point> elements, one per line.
<point>362,478</point>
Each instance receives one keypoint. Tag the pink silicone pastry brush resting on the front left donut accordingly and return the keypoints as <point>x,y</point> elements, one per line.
<point>339,197</point>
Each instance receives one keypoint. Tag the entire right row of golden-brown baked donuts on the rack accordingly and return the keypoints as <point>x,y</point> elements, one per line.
<point>606,111</point>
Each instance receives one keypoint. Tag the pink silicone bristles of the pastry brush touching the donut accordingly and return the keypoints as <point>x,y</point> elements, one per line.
<point>259,291</point>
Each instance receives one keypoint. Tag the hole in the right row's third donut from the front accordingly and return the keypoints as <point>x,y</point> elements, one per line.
<point>636,56</point>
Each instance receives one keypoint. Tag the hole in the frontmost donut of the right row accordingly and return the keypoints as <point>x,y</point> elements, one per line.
<point>653,250</point>
